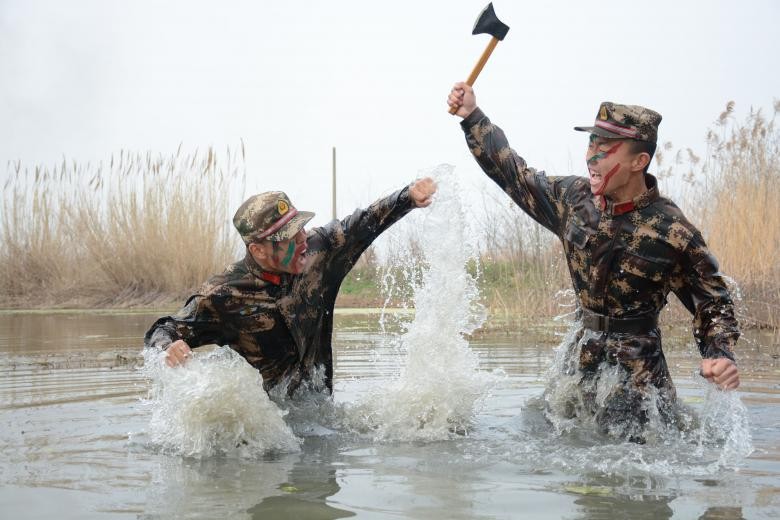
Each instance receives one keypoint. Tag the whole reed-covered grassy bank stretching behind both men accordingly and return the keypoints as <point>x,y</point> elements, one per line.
<point>144,230</point>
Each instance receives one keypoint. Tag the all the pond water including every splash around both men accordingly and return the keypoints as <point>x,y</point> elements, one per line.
<point>423,422</point>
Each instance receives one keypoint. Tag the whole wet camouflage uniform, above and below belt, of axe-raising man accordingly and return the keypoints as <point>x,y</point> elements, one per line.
<point>623,261</point>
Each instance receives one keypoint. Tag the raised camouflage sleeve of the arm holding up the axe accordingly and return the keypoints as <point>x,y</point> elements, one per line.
<point>538,195</point>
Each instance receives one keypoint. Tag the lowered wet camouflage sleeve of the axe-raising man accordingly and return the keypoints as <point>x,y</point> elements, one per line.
<point>703,291</point>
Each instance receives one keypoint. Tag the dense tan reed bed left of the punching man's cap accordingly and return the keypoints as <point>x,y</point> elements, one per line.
<point>137,230</point>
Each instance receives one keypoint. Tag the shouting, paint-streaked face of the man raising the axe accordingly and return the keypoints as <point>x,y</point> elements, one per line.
<point>606,159</point>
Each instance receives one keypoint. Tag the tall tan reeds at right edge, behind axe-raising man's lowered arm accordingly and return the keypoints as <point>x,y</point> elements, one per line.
<point>735,200</point>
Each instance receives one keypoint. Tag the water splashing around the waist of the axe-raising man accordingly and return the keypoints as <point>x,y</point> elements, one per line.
<point>698,442</point>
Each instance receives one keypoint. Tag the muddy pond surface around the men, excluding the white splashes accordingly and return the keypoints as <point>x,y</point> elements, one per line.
<point>76,441</point>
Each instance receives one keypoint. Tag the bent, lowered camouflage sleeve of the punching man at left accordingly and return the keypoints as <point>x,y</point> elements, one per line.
<point>198,323</point>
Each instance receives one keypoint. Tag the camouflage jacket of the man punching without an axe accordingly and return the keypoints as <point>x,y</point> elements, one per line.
<point>281,324</point>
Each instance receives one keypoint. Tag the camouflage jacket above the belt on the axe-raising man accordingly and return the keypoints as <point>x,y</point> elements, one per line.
<point>623,259</point>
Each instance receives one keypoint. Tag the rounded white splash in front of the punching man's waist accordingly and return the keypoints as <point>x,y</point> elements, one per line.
<point>214,405</point>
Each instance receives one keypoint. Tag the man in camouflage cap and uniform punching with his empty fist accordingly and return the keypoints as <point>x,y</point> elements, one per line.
<point>275,307</point>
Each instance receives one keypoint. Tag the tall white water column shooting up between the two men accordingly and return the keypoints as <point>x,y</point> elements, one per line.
<point>440,388</point>
